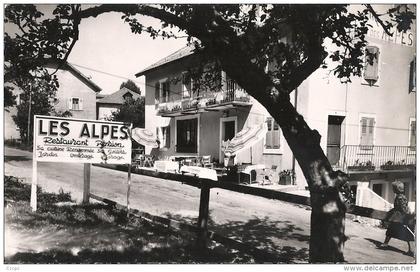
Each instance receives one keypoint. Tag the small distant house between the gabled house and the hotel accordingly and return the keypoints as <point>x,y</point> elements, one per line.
<point>111,103</point>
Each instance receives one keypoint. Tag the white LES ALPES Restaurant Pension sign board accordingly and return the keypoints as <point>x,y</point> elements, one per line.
<point>59,139</point>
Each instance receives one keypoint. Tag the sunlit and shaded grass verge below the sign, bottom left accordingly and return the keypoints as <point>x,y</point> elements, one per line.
<point>62,231</point>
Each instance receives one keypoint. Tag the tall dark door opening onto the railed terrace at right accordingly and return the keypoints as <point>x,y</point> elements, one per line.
<point>334,138</point>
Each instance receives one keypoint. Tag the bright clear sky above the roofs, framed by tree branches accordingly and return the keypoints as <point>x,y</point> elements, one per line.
<point>106,44</point>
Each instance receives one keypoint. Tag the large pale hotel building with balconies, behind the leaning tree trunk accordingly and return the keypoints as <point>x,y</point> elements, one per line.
<point>368,126</point>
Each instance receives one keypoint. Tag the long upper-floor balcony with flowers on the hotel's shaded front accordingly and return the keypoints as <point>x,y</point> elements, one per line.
<point>233,96</point>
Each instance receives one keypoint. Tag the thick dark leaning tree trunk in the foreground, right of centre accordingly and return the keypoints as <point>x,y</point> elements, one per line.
<point>328,210</point>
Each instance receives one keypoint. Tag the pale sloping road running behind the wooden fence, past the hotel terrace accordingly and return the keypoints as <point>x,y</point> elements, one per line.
<point>267,224</point>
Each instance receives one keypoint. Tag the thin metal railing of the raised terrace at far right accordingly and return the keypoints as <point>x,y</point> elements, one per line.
<point>358,157</point>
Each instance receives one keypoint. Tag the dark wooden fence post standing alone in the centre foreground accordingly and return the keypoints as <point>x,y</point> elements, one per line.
<point>203,216</point>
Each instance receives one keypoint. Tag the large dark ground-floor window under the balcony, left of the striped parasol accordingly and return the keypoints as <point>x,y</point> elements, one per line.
<point>187,136</point>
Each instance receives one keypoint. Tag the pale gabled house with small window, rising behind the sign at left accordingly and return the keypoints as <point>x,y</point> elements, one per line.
<point>76,94</point>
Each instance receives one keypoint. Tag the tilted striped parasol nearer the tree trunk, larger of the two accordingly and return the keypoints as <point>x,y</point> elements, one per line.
<point>246,138</point>
